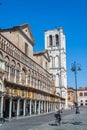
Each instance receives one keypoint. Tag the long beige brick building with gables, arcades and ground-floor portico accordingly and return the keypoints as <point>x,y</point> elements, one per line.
<point>26,86</point>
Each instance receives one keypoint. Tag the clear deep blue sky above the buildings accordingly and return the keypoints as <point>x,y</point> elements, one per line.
<point>50,14</point>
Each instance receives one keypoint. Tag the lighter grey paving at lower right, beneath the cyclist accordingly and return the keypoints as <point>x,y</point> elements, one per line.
<point>69,122</point>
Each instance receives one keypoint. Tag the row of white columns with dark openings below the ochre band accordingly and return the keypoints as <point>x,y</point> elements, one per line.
<point>12,107</point>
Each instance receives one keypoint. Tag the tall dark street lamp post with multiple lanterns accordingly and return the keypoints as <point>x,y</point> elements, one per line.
<point>76,67</point>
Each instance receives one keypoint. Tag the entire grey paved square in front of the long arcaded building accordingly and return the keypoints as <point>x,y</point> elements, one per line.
<point>70,121</point>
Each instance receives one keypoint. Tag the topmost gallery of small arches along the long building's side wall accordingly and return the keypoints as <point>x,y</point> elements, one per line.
<point>19,55</point>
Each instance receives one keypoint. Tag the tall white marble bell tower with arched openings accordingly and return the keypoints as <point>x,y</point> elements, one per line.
<point>56,46</point>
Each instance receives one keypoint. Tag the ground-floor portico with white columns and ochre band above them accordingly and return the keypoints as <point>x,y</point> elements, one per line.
<point>18,100</point>
